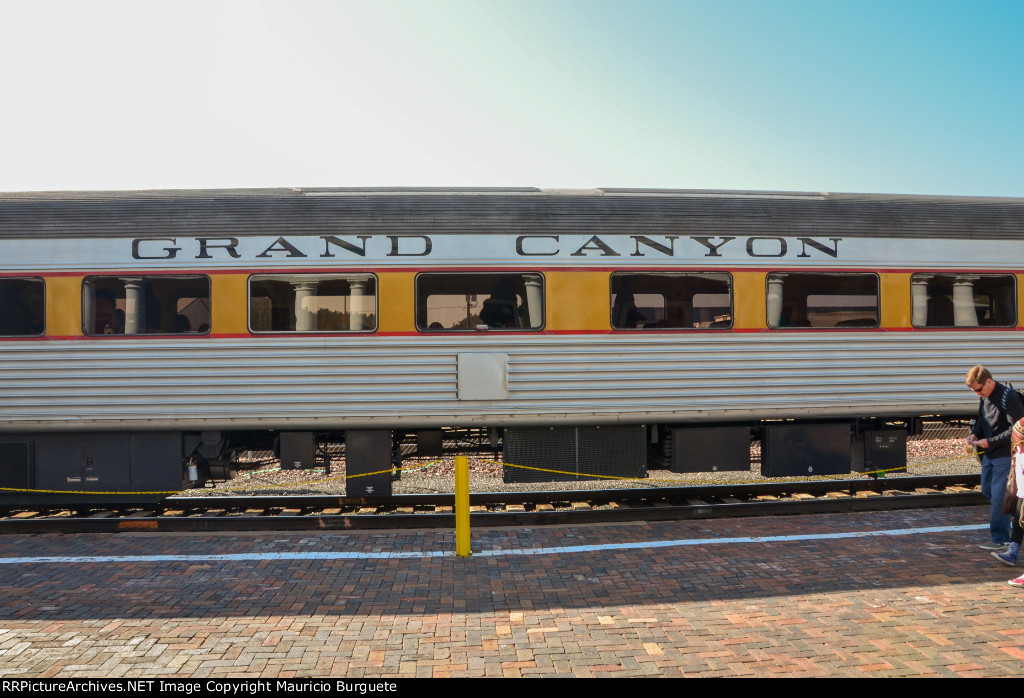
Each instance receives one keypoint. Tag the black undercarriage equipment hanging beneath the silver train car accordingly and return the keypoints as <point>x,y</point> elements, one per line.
<point>150,466</point>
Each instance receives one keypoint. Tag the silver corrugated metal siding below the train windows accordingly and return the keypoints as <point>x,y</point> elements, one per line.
<point>304,382</point>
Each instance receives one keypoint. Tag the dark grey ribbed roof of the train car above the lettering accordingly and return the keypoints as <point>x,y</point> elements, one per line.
<point>482,211</point>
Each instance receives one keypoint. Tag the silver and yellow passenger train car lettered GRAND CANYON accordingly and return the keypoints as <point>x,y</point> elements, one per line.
<point>148,337</point>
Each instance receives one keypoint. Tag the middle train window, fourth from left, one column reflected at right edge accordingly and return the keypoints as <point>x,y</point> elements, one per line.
<point>467,302</point>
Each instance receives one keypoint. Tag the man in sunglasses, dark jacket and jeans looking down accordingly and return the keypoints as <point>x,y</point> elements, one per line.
<point>999,410</point>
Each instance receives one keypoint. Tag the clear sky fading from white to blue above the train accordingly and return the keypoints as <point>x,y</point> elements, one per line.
<point>828,96</point>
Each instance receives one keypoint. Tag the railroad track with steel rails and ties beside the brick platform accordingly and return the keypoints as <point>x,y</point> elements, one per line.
<point>499,509</point>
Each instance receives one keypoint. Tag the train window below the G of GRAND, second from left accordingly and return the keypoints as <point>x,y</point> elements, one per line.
<point>146,306</point>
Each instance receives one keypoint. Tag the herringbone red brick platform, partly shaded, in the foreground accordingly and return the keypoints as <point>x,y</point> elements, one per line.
<point>929,604</point>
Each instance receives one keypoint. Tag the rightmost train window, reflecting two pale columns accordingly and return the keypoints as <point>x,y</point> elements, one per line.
<point>963,300</point>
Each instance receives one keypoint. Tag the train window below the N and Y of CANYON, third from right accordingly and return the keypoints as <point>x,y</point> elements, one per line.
<point>671,301</point>
